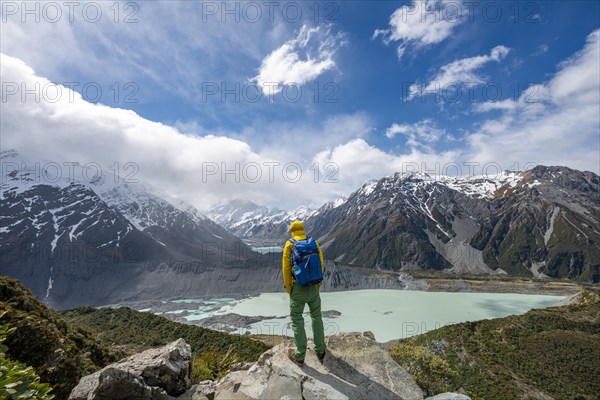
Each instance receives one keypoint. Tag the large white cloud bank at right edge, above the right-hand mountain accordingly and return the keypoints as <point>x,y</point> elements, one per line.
<point>552,123</point>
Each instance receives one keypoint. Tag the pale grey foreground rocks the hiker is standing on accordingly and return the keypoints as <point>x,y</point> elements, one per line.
<point>356,367</point>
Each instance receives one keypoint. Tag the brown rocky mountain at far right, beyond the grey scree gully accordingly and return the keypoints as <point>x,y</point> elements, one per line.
<point>547,225</point>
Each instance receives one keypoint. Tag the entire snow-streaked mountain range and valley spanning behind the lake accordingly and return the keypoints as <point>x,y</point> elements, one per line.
<point>96,240</point>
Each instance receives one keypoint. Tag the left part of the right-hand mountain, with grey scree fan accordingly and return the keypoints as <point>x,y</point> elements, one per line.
<point>406,221</point>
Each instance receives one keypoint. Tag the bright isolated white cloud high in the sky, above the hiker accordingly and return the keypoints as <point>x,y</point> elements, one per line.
<point>299,60</point>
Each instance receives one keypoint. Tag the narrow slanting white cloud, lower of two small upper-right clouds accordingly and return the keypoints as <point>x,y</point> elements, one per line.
<point>459,73</point>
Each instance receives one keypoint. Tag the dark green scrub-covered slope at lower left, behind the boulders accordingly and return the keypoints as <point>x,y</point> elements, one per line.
<point>63,347</point>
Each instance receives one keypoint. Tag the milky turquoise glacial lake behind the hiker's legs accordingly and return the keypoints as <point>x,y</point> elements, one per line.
<point>389,314</point>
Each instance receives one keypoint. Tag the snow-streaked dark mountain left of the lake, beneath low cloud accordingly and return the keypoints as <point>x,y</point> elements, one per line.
<point>62,220</point>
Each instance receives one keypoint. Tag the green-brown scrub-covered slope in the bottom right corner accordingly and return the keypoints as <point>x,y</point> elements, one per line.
<point>553,351</point>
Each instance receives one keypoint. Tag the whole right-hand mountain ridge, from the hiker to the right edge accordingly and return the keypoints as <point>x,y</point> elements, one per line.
<point>540,222</point>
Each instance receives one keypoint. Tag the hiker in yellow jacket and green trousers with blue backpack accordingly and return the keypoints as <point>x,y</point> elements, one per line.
<point>302,270</point>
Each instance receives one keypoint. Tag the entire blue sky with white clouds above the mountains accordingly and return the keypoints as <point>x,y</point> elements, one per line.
<point>378,85</point>
